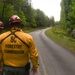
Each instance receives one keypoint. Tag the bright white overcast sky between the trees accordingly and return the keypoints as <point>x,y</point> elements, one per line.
<point>49,7</point>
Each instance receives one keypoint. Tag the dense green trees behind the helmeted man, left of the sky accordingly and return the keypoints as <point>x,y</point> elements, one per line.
<point>23,8</point>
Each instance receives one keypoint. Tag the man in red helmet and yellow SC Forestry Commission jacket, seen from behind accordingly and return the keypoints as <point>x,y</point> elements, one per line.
<point>17,50</point>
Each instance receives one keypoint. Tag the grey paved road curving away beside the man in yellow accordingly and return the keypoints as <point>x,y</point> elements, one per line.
<point>53,58</point>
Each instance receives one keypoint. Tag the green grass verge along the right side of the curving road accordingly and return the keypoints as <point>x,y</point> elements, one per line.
<point>59,36</point>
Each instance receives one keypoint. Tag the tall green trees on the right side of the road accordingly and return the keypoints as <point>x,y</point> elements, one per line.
<point>68,16</point>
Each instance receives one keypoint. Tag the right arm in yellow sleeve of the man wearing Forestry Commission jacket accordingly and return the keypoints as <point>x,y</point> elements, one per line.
<point>33,56</point>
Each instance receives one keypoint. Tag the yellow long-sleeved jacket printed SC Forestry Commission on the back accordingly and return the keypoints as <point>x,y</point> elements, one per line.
<point>14,52</point>
